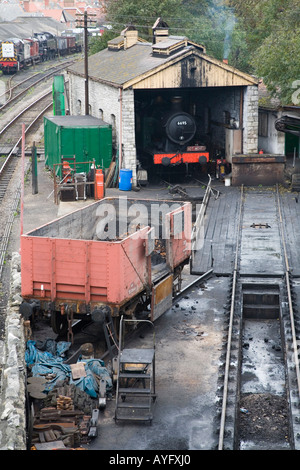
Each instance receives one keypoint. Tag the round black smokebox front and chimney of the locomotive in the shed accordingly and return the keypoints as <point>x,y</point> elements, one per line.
<point>180,126</point>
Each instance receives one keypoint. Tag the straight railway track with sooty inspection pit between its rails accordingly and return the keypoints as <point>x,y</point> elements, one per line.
<point>259,386</point>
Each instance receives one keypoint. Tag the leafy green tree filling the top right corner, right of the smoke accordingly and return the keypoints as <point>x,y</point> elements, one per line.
<point>272,30</point>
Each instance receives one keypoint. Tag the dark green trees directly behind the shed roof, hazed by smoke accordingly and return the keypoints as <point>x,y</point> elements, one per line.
<point>211,23</point>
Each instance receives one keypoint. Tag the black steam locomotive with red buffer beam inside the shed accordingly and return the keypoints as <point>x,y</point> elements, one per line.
<point>169,136</point>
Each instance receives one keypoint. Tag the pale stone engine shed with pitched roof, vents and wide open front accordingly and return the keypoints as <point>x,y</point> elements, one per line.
<point>132,76</point>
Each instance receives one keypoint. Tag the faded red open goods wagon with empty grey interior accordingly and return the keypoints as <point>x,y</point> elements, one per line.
<point>113,257</point>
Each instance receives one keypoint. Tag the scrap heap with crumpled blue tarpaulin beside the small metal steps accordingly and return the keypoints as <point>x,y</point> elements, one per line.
<point>65,399</point>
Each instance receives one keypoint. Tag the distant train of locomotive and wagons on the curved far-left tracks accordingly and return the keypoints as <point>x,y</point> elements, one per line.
<point>15,53</point>
